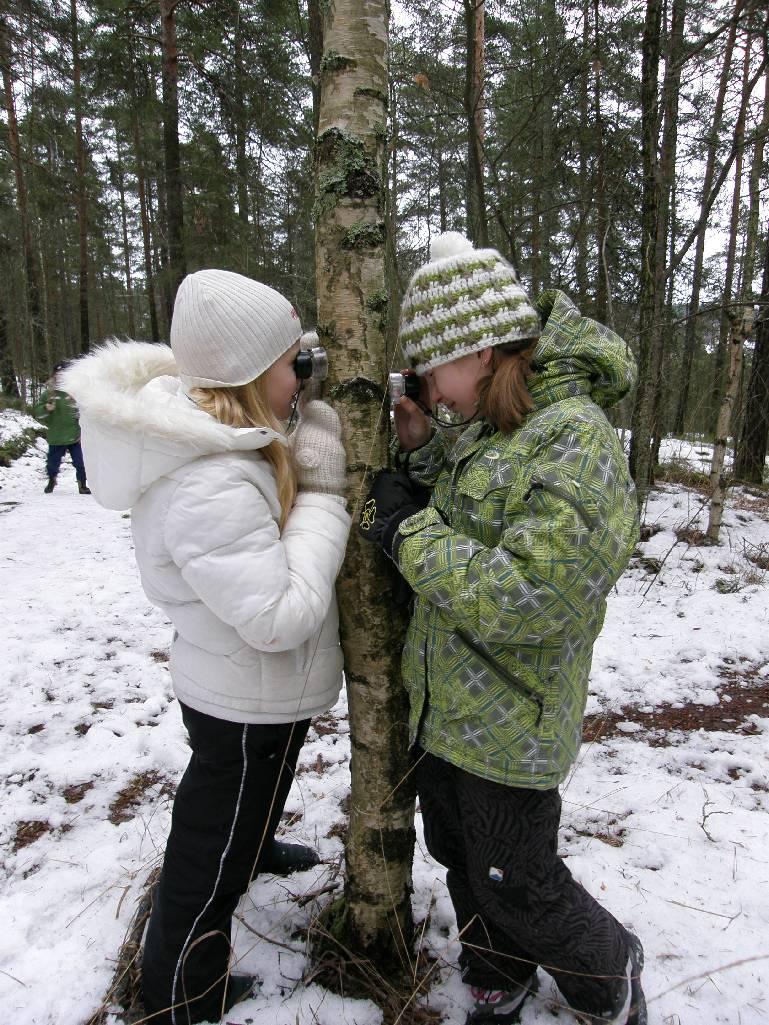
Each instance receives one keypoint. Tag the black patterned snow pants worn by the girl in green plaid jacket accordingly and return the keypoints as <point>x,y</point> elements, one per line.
<point>517,905</point>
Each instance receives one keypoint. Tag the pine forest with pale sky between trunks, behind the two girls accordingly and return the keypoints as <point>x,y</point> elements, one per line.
<point>614,150</point>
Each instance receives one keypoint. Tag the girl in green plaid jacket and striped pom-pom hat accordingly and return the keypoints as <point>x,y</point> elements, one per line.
<point>532,520</point>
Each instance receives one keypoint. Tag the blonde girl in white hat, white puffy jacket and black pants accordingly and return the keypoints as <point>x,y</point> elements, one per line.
<point>239,535</point>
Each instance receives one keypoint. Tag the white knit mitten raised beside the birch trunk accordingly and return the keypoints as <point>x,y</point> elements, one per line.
<point>318,453</point>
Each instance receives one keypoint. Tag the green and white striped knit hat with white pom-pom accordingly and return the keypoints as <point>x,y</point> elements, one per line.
<point>463,301</point>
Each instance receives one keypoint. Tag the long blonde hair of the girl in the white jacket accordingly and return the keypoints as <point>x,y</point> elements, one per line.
<point>247,406</point>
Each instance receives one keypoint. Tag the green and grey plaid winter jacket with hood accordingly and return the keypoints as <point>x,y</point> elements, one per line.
<point>513,559</point>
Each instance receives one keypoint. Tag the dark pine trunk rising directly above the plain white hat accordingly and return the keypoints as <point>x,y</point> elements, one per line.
<point>175,209</point>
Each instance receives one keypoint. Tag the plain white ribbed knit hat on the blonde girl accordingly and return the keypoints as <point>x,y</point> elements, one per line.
<point>228,330</point>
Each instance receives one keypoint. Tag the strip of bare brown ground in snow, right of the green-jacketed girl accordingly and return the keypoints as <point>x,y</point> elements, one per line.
<point>743,694</point>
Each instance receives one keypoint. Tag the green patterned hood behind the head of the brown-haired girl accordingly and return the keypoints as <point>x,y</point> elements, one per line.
<point>578,356</point>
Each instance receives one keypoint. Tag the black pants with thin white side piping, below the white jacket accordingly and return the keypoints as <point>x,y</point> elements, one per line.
<point>227,809</point>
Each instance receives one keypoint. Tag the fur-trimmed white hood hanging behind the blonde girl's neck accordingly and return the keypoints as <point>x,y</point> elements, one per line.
<point>139,425</point>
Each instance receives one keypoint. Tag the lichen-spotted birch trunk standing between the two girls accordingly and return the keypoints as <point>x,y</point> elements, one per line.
<point>376,917</point>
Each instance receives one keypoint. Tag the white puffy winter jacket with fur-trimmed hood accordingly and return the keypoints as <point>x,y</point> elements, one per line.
<point>254,610</point>
